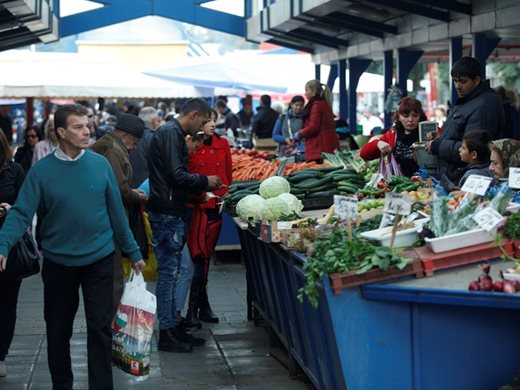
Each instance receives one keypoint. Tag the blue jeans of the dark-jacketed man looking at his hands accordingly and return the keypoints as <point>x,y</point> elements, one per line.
<point>168,236</point>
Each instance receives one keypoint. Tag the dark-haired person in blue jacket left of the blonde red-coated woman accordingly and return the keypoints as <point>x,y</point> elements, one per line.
<point>287,125</point>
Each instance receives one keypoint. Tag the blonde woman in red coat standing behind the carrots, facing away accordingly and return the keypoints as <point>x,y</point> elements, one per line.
<point>319,129</point>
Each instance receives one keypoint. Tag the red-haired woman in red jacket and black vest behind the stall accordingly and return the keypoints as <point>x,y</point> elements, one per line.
<point>399,139</point>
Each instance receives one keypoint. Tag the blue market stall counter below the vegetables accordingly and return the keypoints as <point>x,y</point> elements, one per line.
<point>409,333</point>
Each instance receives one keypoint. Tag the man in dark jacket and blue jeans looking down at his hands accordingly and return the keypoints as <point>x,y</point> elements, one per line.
<point>170,188</point>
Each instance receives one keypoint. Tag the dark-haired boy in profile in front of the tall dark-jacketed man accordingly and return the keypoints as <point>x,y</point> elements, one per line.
<point>474,151</point>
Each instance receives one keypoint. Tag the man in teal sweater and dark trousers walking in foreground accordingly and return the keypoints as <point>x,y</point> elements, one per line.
<point>77,196</point>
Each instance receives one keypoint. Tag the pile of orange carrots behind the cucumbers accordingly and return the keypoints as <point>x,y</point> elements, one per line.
<point>252,168</point>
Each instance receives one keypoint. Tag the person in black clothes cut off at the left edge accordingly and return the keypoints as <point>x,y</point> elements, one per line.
<point>11,178</point>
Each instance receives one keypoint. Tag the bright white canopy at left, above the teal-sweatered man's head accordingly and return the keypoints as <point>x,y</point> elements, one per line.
<point>70,75</point>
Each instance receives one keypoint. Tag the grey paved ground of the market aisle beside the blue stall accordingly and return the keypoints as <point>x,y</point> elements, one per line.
<point>237,355</point>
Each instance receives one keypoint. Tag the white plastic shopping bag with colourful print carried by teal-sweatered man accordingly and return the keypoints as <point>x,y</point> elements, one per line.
<point>133,327</point>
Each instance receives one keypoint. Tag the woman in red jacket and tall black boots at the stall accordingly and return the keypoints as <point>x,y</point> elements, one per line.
<point>213,157</point>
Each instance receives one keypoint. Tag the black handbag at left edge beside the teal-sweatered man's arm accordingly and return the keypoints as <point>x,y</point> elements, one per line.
<point>23,259</point>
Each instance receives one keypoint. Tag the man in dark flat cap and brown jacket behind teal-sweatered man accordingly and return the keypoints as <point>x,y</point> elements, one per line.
<point>114,146</point>
